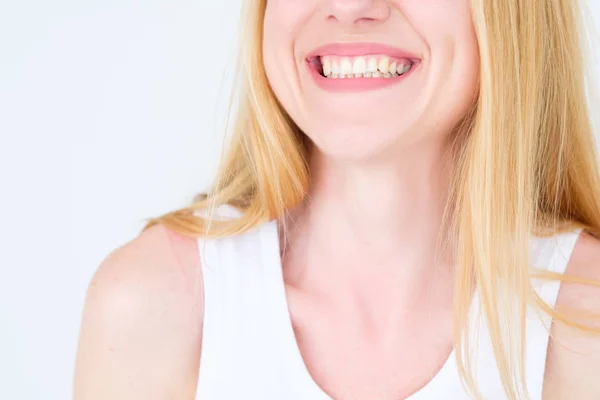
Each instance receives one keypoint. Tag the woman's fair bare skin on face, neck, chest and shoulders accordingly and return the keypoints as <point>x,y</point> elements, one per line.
<point>360,255</point>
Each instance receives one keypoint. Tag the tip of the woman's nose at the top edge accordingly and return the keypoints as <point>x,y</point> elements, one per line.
<point>352,11</point>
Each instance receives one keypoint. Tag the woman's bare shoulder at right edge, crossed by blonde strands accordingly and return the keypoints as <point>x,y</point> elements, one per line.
<point>574,356</point>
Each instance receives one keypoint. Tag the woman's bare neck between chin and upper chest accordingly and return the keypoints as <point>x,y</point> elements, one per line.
<point>376,215</point>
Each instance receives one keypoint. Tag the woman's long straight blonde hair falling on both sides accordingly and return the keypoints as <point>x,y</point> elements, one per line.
<point>525,163</point>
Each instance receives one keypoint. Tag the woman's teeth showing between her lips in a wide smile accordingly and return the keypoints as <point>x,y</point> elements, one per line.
<point>364,66</point>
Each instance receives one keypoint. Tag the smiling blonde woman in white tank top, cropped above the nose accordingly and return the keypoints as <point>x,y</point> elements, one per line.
<point>407,184</point>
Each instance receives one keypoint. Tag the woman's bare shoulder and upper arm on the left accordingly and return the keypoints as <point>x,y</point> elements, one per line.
<point>141,328</point>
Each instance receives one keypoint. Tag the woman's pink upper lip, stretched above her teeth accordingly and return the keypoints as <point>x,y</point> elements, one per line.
<point>361,49</point>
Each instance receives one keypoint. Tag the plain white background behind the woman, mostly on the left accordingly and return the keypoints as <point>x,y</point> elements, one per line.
<point>107,117</point>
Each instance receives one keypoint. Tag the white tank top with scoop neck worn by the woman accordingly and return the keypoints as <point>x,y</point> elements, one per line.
<point>249,350</point>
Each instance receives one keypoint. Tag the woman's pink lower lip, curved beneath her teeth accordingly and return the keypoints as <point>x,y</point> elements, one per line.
<point>356,84</point>
